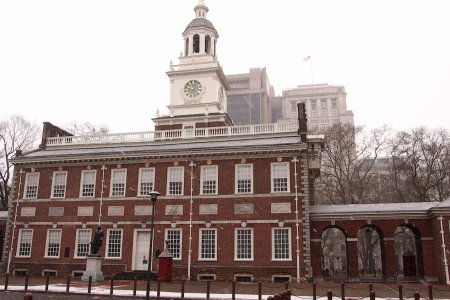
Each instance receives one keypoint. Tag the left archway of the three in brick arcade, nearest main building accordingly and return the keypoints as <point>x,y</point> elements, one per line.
<point>334,252</point>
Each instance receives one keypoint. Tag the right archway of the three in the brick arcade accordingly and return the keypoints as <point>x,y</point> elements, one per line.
<point>408,251</point>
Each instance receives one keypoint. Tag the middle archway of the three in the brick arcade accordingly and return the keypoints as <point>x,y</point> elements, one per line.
<point>370,251</point>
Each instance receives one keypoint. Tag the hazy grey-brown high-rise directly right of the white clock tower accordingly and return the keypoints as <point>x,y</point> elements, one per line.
<point>250,98</point>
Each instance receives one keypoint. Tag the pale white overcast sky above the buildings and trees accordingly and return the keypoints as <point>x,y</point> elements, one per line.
<point>104,62</point>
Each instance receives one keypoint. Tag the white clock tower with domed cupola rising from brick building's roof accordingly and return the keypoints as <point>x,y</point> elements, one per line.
<point>197,82</point>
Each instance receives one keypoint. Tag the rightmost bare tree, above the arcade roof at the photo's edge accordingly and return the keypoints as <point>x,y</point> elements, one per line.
<point>420,165</point>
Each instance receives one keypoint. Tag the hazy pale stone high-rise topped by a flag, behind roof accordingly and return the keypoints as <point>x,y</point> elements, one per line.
<point>325,105</point>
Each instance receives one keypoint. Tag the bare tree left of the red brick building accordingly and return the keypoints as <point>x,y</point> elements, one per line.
<point>16,133</point>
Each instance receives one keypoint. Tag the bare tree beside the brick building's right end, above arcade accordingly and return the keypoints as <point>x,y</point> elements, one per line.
<point>348,158</point>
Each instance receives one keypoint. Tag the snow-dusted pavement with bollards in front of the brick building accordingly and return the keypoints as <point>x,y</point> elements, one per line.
<point>78,290</point>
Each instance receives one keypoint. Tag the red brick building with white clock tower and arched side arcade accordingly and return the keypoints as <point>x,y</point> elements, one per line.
<point>236,201</point>
